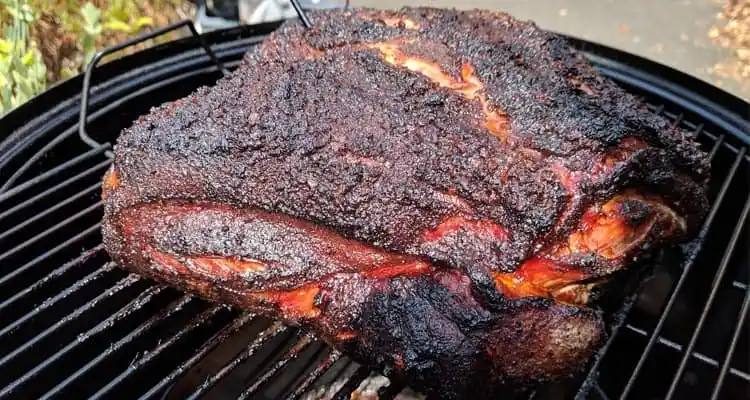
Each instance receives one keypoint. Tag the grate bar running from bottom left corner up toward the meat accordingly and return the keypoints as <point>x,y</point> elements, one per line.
<point>108,323</point>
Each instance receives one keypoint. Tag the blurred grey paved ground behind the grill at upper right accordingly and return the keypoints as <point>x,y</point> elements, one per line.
<point>672,32</point>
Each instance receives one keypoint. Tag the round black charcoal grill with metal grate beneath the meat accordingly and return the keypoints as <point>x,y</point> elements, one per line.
<point>72,325</point>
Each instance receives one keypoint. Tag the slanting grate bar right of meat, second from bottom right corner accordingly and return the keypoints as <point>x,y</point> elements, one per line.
<point>728,252</point>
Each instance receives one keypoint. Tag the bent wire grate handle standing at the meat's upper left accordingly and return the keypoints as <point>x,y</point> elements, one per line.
<point>83,115</point>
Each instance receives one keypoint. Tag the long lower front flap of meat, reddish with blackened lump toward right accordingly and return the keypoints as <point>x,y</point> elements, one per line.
<point>420,322</point>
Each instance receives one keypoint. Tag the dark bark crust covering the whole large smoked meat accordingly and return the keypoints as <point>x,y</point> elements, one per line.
<point>322,159</point>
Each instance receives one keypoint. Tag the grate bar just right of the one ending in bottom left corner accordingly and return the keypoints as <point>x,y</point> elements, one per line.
<point>164,314</point>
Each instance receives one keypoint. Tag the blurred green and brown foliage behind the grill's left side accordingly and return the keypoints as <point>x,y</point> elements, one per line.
<point>42,41</point>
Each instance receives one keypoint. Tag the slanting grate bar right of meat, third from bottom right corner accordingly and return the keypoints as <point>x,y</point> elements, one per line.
<point>687,266</point>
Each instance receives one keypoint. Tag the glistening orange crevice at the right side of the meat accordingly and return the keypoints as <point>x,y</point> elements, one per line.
<point>604,242</point>
